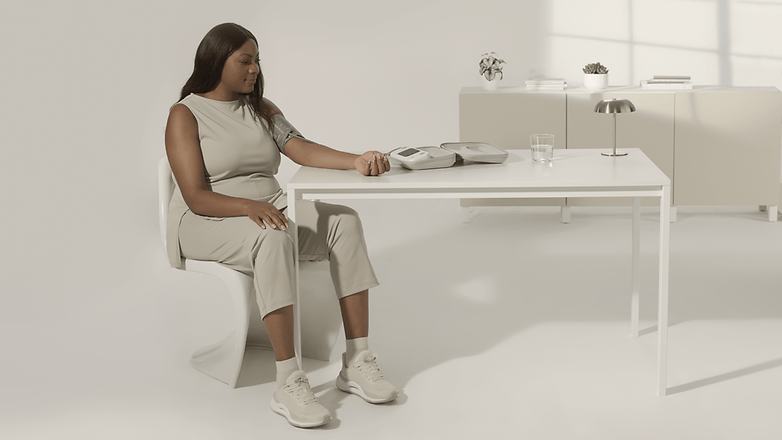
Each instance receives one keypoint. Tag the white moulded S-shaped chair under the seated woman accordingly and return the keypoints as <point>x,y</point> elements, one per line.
<point>320,315</point>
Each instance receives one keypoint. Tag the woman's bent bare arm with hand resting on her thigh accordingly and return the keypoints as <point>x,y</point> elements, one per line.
<point>183,149</point>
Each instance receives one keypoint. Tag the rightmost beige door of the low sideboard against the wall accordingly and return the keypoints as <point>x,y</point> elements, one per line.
<point>728,147</point>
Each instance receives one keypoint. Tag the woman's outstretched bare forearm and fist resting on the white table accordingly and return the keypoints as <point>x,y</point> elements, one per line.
<point>371,163</point>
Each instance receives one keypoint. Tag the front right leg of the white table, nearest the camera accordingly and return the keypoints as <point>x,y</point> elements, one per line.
<point>662,313</point>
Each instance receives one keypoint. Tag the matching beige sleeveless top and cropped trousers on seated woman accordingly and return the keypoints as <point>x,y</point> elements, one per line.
<point>241,156</point>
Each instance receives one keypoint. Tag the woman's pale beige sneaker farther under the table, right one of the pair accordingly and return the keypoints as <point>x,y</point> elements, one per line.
<point>364,379</point>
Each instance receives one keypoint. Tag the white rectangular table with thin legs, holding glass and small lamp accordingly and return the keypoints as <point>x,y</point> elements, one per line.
<point>572,173</point>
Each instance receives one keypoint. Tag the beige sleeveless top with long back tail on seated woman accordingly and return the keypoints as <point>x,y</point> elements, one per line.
<point>240,154</point>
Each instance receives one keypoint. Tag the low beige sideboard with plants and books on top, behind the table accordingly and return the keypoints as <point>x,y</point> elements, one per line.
<point>720,146</point>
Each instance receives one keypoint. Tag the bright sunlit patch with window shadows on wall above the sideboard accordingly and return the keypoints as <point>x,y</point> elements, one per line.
<point>723,42</point>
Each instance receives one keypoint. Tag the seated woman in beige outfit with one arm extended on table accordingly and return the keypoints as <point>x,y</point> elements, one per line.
<point>223,141</point>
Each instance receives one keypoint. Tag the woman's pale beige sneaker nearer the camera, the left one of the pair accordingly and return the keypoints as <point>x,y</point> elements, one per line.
<point>298,404</point>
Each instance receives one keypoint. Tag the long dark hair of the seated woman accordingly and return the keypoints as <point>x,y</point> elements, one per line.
<point>218,44</point>
